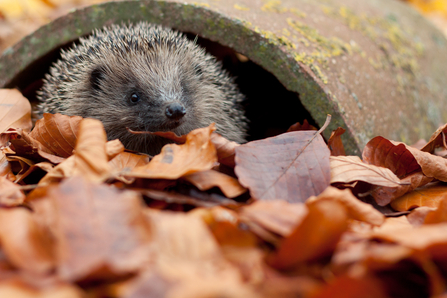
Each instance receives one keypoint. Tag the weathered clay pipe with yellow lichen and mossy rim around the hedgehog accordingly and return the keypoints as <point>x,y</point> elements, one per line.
<point>377,66</point>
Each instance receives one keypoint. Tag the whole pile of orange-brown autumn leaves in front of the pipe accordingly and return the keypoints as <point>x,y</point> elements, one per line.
<point>81,216</point>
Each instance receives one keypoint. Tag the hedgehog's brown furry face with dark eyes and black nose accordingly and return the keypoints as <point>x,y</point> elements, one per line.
<point>163,91</point>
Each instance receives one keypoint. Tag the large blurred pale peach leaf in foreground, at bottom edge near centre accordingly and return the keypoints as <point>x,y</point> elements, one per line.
<point>186,252</point>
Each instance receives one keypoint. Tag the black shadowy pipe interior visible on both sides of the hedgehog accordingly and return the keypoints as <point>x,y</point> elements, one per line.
<point>269,106</point>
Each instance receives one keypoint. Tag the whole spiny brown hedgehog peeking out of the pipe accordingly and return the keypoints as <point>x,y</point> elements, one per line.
<point>144,77</point>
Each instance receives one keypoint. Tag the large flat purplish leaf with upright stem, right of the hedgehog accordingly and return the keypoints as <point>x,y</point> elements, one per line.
<point>292,166</point>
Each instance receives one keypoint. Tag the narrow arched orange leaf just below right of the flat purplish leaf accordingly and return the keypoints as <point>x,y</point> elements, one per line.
<point>356,209</point>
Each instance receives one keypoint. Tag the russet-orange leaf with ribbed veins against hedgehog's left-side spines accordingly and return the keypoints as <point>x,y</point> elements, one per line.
<point>58,133</point>
